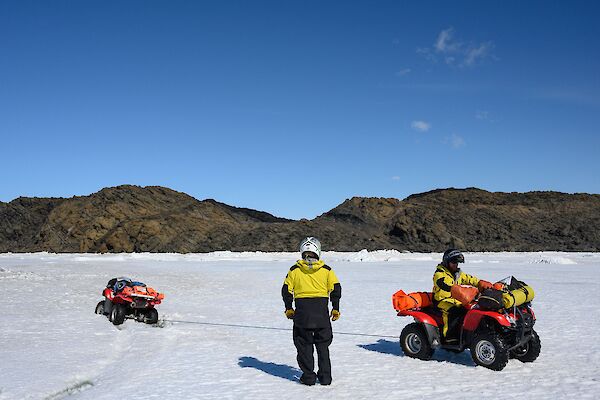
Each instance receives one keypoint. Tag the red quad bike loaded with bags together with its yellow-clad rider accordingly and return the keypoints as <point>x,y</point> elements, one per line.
<point>494,325</point>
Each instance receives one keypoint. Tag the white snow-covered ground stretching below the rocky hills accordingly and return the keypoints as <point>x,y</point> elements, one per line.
<point>223,334</point>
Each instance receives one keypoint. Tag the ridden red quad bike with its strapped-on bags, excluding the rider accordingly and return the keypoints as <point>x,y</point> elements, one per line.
<point>494,329</point>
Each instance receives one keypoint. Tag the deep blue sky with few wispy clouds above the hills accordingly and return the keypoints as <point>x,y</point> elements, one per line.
<point>290,107</point>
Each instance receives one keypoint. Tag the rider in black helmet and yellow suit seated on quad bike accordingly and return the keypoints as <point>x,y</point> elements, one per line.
<point>447,274</point>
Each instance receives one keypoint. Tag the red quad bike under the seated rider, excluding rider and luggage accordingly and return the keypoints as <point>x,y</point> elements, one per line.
<point>492,336</point>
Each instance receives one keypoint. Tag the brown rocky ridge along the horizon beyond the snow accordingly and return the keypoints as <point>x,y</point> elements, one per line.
<point>156,219</point>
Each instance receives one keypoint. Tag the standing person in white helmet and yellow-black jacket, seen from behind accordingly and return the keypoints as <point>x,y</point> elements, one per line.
<point>310,283</point>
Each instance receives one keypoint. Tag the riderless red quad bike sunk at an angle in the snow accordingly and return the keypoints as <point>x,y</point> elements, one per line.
<point>124,298</point>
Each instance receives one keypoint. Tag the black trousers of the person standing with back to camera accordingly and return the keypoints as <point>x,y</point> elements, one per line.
<point>305,340</point>
